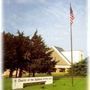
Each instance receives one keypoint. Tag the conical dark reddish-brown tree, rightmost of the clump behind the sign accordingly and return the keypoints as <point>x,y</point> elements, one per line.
<point>41,60</point>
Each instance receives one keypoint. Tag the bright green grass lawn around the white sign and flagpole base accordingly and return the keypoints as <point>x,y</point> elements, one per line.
<point>62,83</point>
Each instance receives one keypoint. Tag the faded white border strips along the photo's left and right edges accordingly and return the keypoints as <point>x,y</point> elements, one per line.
<point>88,42</point>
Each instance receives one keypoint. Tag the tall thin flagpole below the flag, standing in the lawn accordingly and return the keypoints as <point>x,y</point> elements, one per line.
<point>71,53</point>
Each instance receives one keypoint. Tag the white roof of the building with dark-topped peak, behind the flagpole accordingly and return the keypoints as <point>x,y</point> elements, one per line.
<point>67,54</point>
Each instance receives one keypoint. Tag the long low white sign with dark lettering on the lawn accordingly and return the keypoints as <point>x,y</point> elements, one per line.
<point>17,83</point>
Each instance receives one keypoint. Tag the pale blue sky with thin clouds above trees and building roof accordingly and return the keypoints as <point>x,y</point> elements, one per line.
<point>51,18</point>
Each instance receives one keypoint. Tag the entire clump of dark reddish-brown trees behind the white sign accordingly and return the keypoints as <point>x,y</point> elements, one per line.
<point>24,54</point>
